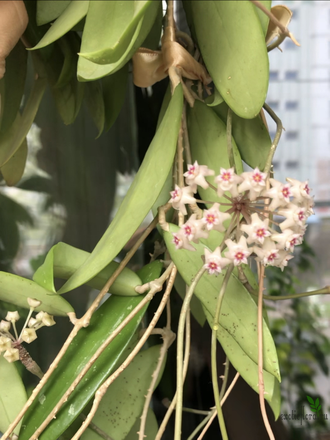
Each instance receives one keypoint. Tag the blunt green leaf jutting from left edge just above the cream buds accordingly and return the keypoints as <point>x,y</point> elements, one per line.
<point>16,290</point>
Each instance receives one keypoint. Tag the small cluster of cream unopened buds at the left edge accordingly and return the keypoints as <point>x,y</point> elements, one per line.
<point>9,342</point>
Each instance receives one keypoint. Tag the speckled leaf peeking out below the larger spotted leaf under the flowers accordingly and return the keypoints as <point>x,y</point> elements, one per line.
<point>247,368</point>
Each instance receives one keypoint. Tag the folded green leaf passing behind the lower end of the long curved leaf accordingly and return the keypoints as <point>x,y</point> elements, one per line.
<point>63,260</point>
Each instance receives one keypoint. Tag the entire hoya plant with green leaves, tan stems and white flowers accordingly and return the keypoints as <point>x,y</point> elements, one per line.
<point>219,225</point>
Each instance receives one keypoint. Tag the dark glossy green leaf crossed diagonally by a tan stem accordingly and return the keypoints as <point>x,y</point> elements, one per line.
<point>103,323</point>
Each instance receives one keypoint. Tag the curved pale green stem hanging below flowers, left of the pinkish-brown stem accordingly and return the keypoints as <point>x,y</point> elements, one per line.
<point>214,340</point>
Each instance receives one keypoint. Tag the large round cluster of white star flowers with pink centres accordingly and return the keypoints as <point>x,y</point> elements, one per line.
<point>250,207</point>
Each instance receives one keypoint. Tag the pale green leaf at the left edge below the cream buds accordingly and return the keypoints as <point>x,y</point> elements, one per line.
<point>12,395</point>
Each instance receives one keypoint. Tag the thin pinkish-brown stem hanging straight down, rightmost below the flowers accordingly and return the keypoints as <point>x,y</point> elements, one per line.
<point>260,356</point>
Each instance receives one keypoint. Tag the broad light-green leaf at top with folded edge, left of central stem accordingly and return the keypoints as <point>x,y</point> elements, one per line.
<point>114,24</point>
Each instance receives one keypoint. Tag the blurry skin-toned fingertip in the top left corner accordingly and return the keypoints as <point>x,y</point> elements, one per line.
<point>13,22</point>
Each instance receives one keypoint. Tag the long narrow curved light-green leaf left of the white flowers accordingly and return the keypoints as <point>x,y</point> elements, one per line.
<point>140,197</point>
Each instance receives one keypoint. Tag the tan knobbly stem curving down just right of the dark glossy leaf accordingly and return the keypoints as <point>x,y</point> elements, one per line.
<point>103,388</point>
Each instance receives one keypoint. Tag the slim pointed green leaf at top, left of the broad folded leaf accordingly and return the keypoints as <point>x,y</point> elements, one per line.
<point>75,11</point>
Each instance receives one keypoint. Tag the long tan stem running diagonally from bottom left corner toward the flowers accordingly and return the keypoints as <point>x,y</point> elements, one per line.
<point>78,325</point>
